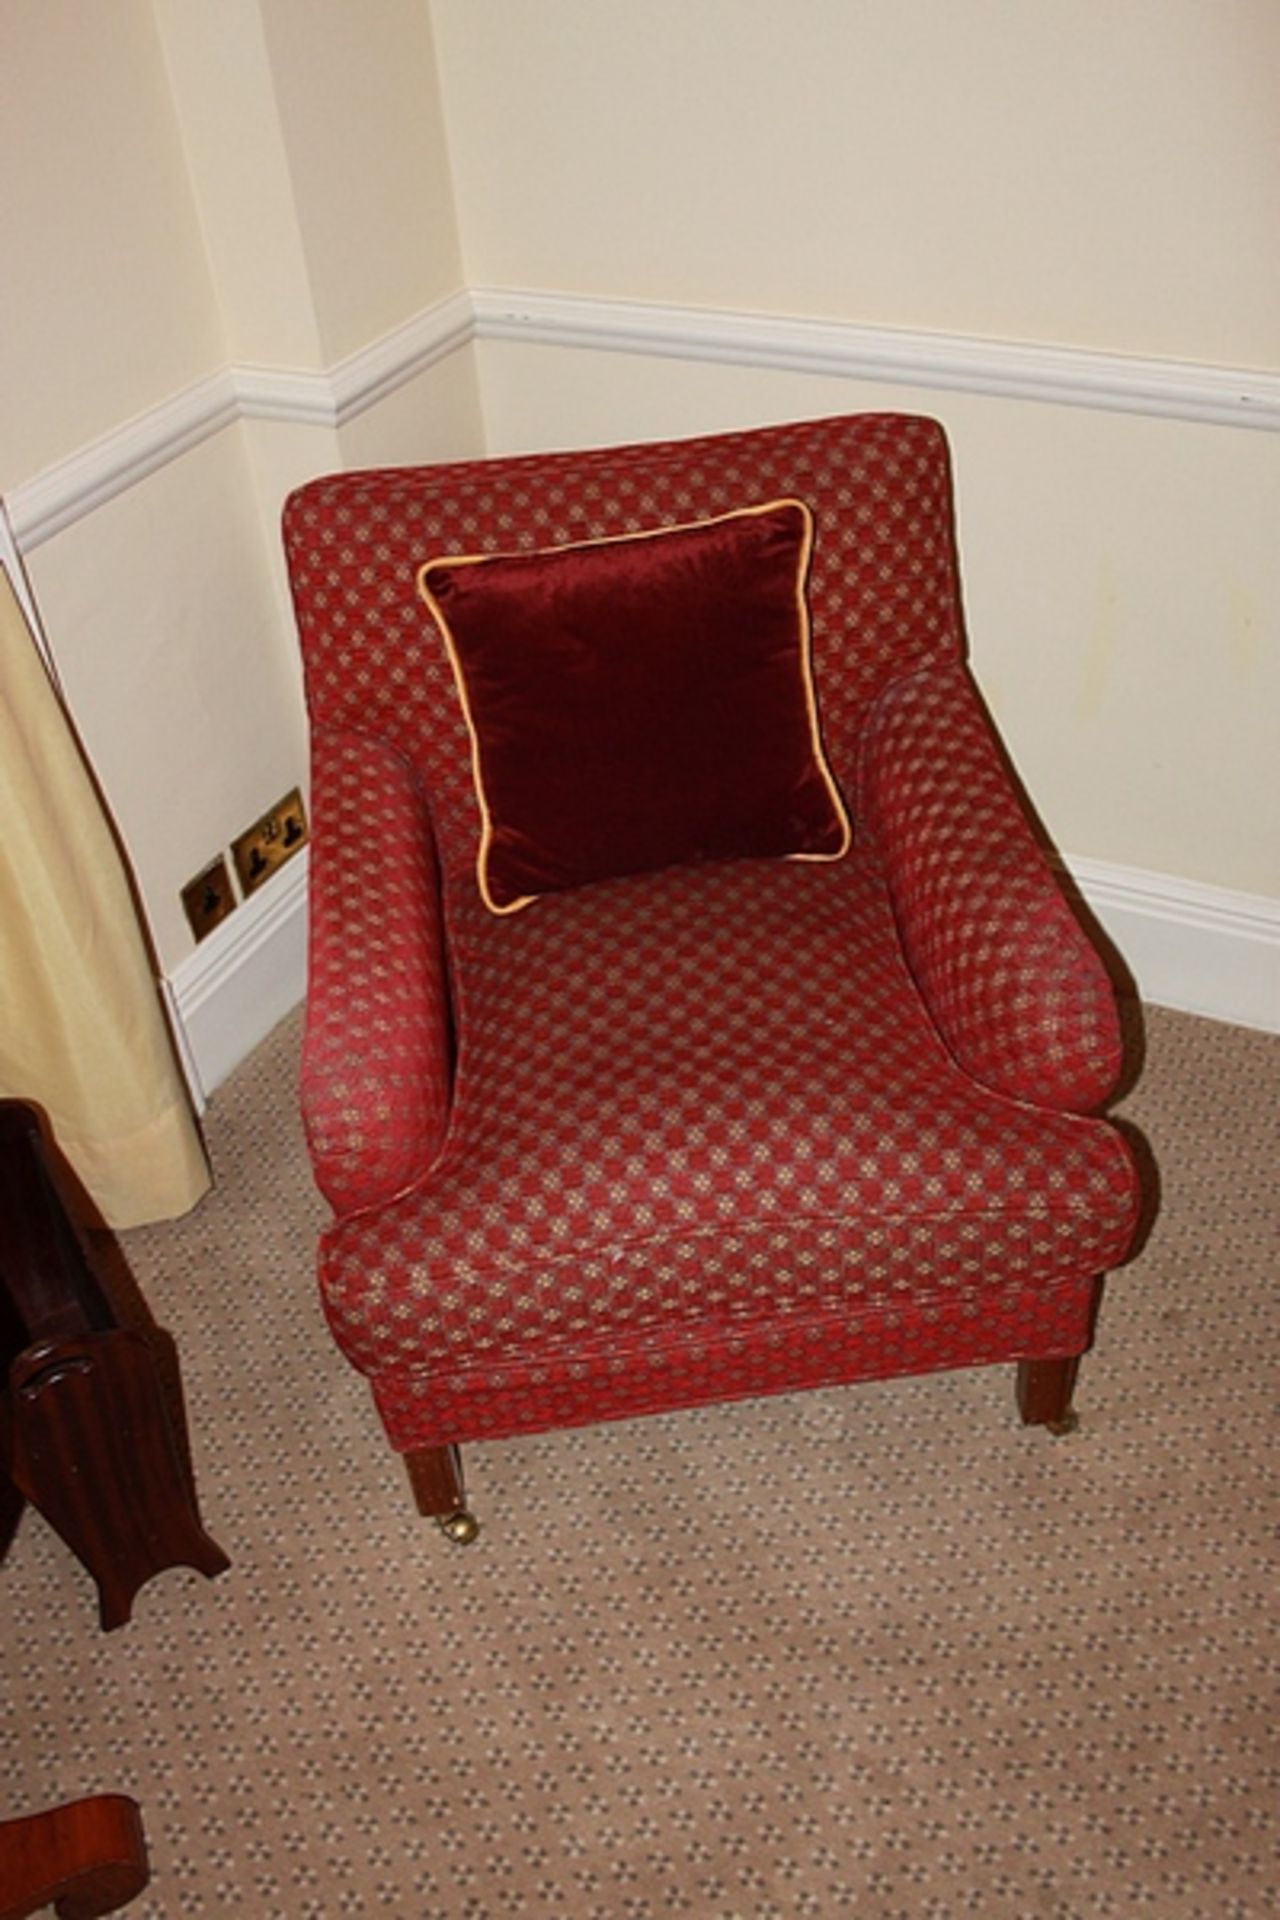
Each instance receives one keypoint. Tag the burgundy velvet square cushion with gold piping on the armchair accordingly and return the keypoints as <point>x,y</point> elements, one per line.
<point>640,702</point>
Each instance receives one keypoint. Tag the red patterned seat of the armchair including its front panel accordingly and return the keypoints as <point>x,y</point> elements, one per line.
<point>698,1111</point>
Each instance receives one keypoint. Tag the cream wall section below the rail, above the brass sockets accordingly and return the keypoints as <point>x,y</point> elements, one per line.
<point>170,652</point>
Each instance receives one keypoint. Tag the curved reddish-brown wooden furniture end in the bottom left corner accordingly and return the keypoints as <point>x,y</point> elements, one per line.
<point>89,1858</point>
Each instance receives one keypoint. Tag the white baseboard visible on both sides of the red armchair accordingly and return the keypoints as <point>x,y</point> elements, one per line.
<point>1191,948</point>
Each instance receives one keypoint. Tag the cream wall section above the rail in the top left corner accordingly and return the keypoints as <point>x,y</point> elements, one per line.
<point>108,302</point>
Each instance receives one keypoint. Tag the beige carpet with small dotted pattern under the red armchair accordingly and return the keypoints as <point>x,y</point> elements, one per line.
<point>870,1652</point>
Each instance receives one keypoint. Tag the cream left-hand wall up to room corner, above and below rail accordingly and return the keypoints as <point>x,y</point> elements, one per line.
<point>195,189</point>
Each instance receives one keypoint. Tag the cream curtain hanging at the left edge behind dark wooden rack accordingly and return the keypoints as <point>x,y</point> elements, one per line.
<point>82,1030</point>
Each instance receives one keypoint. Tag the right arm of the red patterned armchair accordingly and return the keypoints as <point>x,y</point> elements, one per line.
<point>1010,980</point>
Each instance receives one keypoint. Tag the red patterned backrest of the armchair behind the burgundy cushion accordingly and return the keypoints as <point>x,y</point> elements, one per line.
<point>884,588</point>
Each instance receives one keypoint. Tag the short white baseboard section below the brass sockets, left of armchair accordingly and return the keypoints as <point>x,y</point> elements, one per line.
<point>241,982</point>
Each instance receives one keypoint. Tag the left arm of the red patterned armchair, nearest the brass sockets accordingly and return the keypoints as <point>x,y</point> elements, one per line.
<point>377,1047</point>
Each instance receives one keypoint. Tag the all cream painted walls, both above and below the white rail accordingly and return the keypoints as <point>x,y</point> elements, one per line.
<point>273,183</point>
